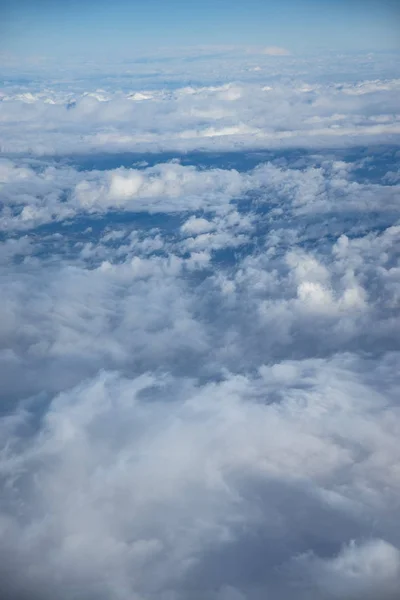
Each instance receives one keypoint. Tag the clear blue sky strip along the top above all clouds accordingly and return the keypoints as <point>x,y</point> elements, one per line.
<point>59,28</point>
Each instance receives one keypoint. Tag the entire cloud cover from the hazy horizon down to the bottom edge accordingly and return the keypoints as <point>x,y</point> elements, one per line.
<point>199,351</point>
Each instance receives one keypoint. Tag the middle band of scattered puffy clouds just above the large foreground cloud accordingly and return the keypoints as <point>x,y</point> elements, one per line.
<point>140,301</point>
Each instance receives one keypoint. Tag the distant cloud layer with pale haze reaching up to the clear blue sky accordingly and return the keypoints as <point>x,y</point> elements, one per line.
<point>261,105</point>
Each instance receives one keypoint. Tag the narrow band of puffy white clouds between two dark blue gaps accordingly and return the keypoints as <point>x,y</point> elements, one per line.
<point>38,193</point>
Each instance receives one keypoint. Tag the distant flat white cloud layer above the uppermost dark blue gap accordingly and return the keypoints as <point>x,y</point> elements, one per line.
<point>266,113</point>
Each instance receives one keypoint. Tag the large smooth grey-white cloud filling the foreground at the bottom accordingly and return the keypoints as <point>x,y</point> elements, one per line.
<point>130,496</point>
